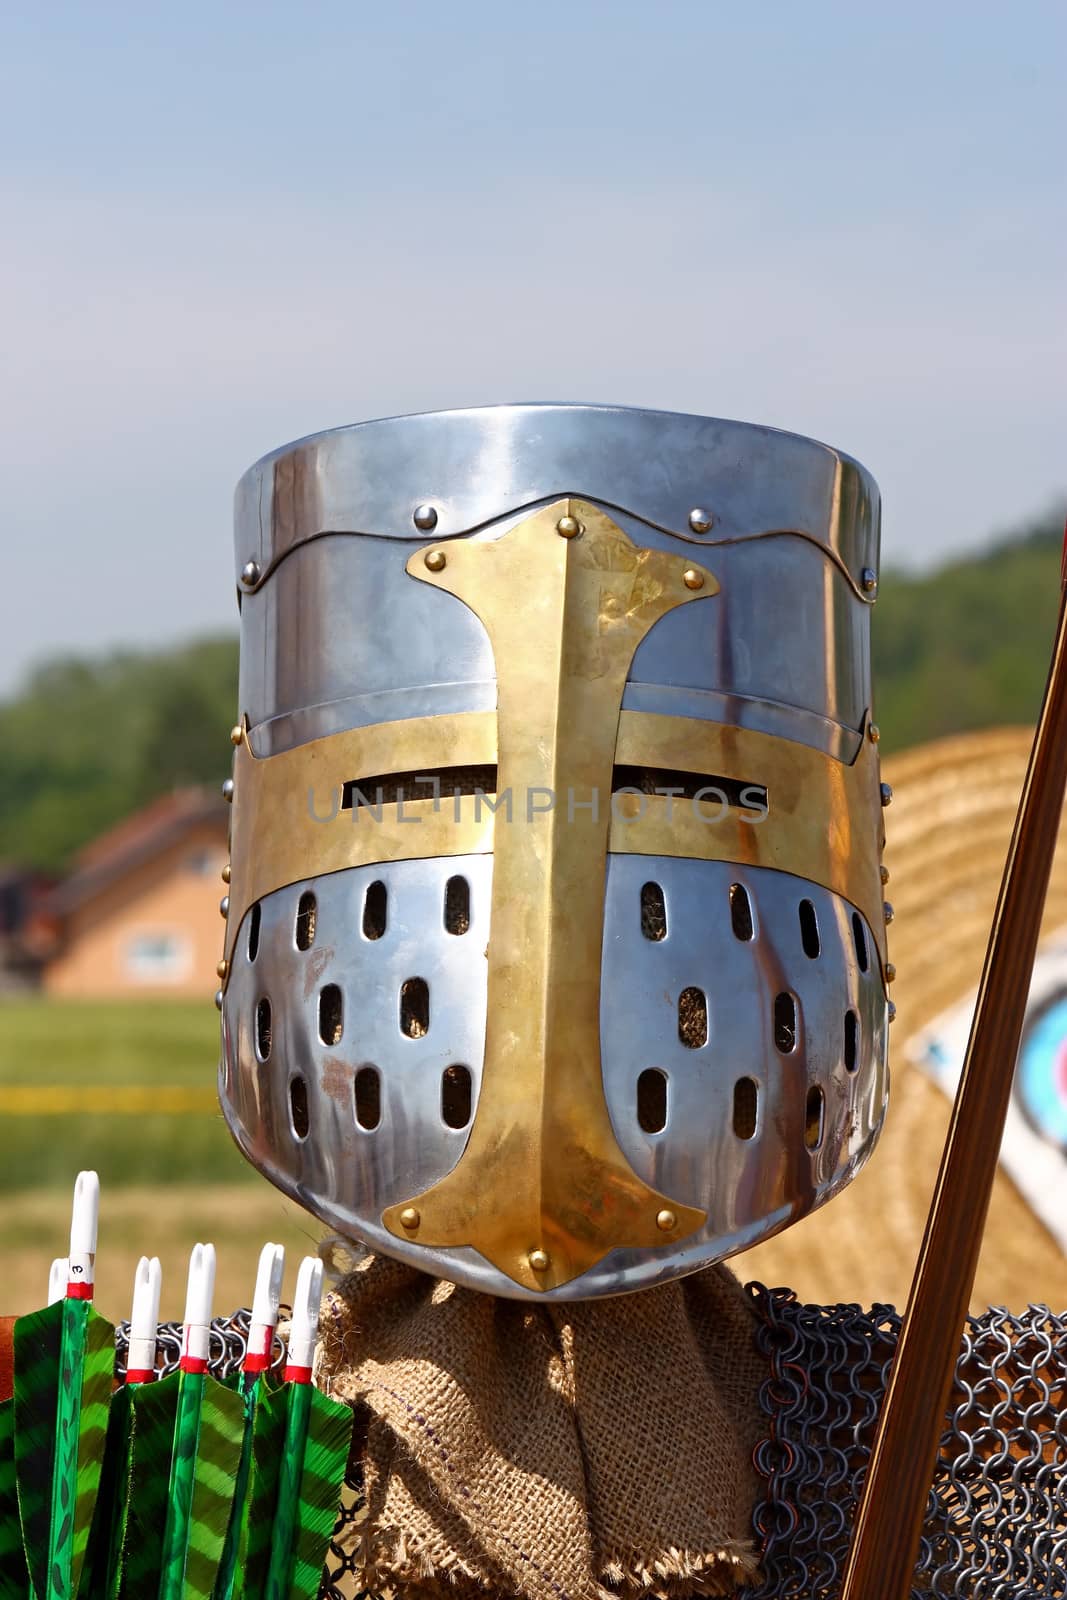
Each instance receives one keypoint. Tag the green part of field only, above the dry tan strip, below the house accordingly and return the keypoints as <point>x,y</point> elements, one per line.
<point>111,1047</point>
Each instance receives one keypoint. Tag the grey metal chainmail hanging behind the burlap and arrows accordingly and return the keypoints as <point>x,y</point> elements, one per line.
<point>997,1513</point>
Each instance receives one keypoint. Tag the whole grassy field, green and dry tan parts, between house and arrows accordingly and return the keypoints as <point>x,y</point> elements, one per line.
<point>81,1084</point>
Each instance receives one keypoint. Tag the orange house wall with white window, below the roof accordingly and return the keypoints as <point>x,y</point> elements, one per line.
<point>154,932</point>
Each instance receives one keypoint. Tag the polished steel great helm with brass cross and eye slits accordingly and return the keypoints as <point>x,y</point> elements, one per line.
<point>556,929</point>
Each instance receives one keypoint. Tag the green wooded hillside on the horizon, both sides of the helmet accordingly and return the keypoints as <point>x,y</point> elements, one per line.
<point>90,740</point>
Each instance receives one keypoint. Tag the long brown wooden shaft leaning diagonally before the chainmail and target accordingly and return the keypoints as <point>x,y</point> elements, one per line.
<point>890,1519</point>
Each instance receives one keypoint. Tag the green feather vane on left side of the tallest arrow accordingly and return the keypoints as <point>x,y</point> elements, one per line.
<point>36,1348</point>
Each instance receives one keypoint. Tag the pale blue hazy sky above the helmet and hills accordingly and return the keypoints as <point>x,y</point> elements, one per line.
<point>225,226</point>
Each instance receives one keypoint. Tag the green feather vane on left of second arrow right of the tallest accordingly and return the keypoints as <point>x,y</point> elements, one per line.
<point>153,1410</point>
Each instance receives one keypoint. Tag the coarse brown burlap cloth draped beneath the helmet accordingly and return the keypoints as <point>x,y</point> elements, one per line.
<point>549,1452</point>
